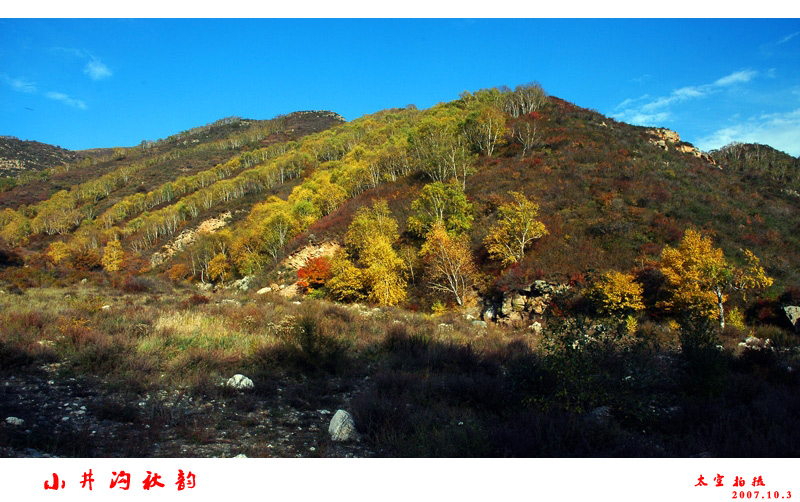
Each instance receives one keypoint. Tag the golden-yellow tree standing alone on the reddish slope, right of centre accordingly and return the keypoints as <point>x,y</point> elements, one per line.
<point>515,230</point>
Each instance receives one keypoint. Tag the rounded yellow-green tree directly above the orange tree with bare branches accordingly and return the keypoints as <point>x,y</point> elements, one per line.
<point>441,203</point>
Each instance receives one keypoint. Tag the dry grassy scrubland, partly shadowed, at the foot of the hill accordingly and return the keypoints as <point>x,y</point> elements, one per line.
<point>149,367</point>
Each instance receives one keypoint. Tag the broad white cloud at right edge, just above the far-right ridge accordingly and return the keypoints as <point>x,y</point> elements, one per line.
<point>778,130</point>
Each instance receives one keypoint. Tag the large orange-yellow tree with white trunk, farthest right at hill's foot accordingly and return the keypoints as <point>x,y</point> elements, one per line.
<point>699,275</point>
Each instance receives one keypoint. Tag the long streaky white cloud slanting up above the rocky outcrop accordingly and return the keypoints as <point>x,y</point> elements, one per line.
<point>648,110</point>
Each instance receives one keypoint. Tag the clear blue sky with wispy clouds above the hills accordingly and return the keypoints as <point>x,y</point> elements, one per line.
<point>82,83</point>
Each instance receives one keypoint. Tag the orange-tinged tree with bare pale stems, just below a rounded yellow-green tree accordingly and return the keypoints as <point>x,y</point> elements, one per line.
<point>449,266</point>
